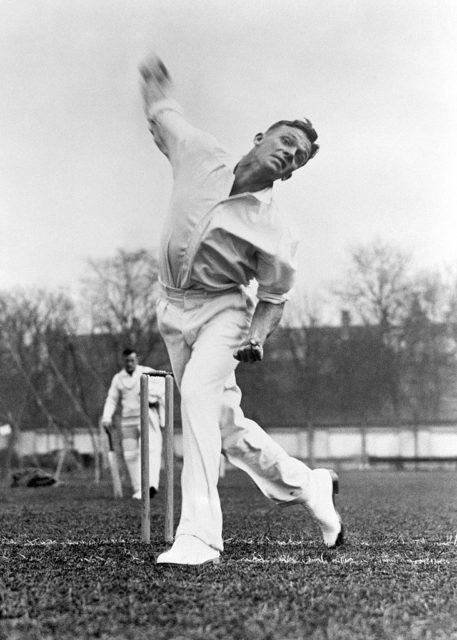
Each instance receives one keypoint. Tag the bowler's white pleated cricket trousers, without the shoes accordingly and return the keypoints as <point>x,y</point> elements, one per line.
<point>202,331</point>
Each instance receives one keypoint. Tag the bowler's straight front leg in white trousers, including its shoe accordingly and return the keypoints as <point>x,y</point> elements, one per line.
<point>213,329</point>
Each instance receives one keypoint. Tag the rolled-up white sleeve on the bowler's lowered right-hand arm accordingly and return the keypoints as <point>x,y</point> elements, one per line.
<point>276,270</point>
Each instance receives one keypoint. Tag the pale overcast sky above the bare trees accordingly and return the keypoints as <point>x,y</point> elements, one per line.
<point>80,175</point>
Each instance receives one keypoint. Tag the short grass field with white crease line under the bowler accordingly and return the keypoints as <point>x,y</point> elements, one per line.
<point>72,566</point>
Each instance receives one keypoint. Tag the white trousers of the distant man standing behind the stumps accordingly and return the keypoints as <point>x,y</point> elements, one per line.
<point>131,443</point>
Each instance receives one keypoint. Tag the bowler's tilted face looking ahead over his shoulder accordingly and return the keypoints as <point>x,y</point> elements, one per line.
<point>282,151</point>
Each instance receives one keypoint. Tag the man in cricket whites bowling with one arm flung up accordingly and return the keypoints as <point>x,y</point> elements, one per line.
<point>224,229</point>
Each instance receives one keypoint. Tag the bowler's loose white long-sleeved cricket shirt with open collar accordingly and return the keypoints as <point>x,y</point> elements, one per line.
<point>213,241</point>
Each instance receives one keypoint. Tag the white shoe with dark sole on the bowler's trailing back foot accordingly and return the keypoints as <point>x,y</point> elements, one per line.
<point>324,486</point>
